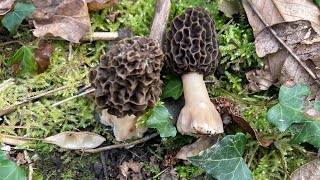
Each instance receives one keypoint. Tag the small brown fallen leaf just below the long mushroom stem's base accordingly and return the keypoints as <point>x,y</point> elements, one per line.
<point>195,148</point>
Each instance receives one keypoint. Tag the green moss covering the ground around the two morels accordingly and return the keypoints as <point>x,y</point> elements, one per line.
<point>238,56</point>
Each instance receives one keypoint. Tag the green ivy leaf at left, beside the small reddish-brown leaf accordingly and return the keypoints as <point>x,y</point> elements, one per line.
<point>25,57</point>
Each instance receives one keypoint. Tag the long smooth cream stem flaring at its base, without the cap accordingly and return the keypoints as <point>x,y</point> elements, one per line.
<point>198,116</point>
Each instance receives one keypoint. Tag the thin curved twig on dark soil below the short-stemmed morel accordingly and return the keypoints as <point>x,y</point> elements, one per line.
<point>142,140</point>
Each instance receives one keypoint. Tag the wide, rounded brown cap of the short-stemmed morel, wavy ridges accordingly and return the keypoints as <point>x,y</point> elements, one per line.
<point>127,80</point>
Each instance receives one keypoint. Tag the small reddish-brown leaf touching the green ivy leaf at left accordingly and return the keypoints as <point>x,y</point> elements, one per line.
<point>43,54</point>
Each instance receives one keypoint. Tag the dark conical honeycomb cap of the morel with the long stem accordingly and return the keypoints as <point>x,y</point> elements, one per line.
<point>192,43</point>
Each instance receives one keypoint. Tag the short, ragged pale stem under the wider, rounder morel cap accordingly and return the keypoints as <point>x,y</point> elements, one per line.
<point>123,128</point>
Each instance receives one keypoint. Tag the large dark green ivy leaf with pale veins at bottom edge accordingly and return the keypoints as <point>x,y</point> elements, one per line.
<point>224,161</point>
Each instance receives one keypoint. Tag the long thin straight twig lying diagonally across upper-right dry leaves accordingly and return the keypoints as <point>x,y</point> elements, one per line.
<point>273,32</point>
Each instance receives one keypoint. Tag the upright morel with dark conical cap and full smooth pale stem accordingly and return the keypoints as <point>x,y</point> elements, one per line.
<point>192,52</point>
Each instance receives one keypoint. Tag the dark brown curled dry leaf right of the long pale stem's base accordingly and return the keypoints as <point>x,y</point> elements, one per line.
<point>230,110</point>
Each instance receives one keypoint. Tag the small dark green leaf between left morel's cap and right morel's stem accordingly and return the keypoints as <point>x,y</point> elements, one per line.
<point>173,88</point>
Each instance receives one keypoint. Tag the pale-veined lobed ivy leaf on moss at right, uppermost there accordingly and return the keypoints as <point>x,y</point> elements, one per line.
<point>290,108</point>
